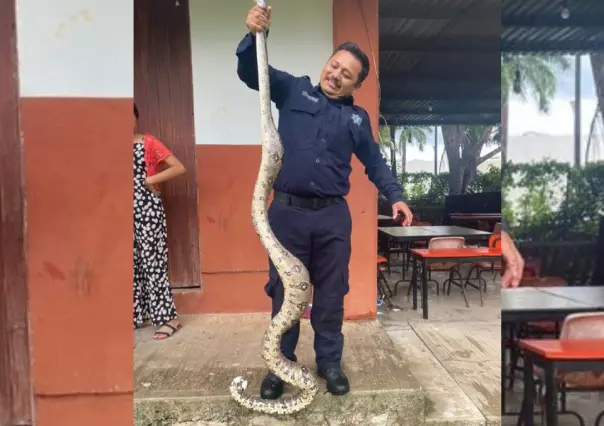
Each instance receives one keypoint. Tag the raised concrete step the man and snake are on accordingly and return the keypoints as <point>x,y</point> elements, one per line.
<point>185,380</point>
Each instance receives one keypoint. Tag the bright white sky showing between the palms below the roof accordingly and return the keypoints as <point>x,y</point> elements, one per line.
<point>524,115</point>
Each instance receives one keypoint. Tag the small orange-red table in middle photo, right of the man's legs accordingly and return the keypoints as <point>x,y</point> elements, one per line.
<point>427,256</point>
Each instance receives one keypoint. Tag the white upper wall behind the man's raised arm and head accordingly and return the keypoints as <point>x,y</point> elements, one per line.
<point>300,42</point>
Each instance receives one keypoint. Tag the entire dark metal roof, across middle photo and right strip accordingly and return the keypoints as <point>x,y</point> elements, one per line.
<point>440,60</point>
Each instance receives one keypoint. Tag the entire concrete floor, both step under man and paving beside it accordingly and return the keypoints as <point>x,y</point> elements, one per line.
<point>447,367</point>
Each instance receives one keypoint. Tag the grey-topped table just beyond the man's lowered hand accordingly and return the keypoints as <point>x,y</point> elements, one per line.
<point>407,234</point>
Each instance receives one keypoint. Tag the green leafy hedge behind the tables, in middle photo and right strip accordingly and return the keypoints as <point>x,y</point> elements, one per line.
<point>544,201</point>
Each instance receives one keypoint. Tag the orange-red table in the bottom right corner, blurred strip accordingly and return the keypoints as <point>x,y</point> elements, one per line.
<point>554,356</point>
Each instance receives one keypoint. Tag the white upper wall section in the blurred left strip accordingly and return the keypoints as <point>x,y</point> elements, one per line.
<point>75,48</point>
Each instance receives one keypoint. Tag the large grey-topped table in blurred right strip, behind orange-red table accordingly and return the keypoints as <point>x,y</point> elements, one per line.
<point>526,304</point>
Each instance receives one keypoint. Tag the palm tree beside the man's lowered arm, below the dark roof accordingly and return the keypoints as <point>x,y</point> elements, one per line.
<point>406,135</point>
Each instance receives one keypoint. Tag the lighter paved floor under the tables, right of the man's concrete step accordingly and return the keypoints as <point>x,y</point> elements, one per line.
<point>455,354</point>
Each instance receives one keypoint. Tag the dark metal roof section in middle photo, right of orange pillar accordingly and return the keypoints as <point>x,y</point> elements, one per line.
<point>440,61</point>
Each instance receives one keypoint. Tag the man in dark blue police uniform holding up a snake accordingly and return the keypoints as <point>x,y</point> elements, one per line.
<point>320,129</point>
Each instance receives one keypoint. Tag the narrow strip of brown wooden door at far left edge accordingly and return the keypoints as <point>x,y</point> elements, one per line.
<point>15,383</point>
